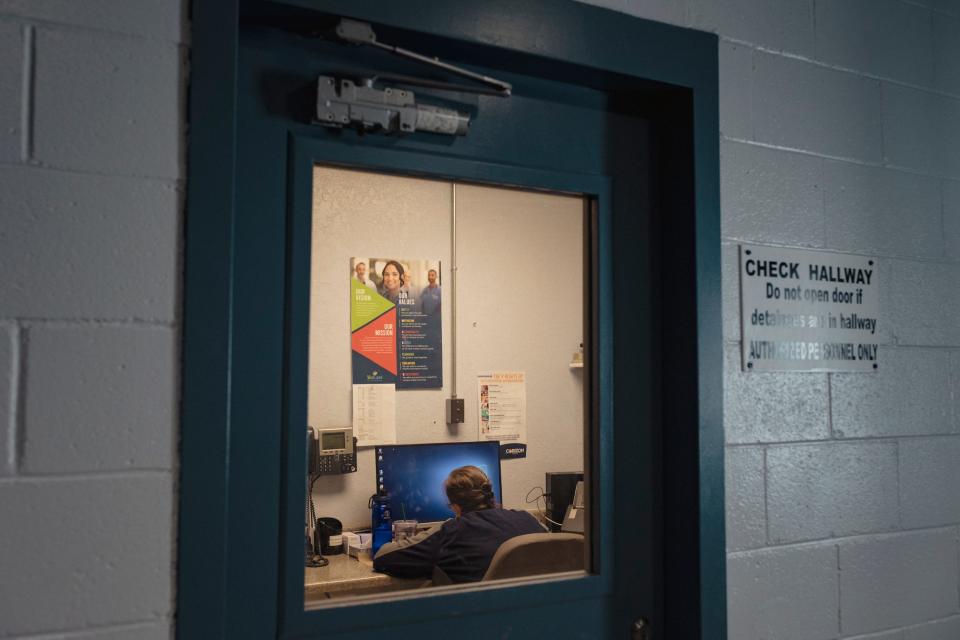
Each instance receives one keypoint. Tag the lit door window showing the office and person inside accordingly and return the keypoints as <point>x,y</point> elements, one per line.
<point>447,381</point>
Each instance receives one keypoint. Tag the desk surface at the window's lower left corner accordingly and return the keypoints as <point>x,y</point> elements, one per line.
<point>346,575</point>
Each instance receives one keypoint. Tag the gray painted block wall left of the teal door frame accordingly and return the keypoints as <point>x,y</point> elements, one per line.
<point>91,169</point>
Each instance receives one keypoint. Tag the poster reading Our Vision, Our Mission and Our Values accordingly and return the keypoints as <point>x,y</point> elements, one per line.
<point>395,322</point>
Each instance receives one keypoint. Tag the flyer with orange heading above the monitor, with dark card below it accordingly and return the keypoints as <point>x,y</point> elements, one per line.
<point>502,406</point>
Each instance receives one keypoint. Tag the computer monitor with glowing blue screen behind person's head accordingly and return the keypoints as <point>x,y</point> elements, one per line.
<point>413,474</point>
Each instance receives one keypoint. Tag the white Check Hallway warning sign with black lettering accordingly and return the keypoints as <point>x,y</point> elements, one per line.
<point>808,310</point>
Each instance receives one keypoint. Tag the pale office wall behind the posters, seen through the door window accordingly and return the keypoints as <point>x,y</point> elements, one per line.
<point>519,308</point>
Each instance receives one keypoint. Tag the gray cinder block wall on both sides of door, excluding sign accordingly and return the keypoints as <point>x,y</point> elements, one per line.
<point>840,130</point>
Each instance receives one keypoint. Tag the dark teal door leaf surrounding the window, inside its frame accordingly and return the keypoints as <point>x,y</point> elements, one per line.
<point>545,136</point>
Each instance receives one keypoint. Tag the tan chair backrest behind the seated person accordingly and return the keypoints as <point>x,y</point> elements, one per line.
<point>536,553</point>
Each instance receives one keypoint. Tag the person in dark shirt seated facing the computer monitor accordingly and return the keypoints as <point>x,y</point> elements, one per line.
<point>462,547</point>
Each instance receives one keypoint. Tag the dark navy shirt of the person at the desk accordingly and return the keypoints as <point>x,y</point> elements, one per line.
<point>461,547</point>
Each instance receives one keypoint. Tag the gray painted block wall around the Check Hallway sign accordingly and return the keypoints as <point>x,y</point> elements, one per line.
<point>840,130</point>
